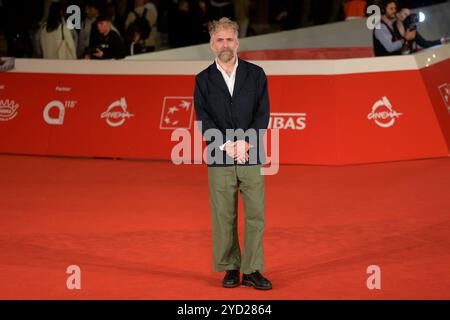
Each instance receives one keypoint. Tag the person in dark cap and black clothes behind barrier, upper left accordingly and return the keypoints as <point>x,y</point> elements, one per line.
<point>109,44</point>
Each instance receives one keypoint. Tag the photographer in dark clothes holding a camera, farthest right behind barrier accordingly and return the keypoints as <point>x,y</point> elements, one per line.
<point>407,21</point>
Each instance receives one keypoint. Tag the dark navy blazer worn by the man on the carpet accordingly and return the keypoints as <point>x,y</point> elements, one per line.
<point>248,108</point>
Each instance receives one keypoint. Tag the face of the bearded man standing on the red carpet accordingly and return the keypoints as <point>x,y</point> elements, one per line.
<point>224,43</point>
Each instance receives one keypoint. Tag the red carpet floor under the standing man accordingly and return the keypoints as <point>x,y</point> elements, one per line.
<point>141,230</point>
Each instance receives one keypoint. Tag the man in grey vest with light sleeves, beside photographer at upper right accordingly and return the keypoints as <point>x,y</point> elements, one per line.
<point>386,41</point>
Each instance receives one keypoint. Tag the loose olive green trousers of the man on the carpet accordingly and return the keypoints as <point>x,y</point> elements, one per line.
<point>224,185</point>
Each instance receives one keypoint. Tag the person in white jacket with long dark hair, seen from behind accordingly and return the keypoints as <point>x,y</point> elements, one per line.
<point>56,39</point>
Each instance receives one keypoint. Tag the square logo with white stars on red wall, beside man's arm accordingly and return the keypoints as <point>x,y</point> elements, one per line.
<point>177,113</point>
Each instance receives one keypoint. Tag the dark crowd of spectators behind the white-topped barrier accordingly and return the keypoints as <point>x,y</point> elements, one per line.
<point>113,29</point>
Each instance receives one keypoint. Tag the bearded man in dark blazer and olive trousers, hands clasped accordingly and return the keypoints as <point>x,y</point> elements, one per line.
<point>232,107</point>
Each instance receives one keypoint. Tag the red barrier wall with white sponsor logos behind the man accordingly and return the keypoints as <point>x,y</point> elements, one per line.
<point>323,119</point>
